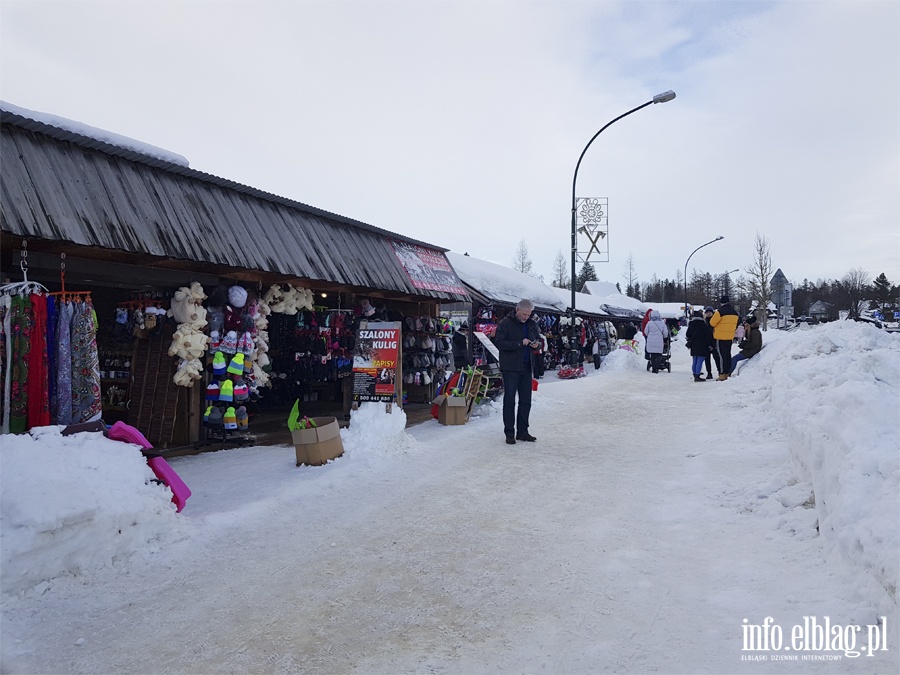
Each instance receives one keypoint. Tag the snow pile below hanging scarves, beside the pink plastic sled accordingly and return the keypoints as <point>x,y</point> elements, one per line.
<point>73,503</point>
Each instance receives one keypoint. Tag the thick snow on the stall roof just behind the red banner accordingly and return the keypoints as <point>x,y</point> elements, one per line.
<point>503,284</point>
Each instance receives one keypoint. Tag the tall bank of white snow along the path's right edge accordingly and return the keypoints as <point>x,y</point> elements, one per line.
<point>835,390</point>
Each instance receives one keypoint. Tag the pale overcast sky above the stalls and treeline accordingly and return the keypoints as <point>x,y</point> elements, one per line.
<point>460,123</point>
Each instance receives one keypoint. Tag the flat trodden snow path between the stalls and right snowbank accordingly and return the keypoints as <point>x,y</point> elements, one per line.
<point>635,536</point>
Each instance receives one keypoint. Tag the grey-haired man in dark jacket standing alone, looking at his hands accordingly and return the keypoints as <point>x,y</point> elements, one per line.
<point>517,335</point>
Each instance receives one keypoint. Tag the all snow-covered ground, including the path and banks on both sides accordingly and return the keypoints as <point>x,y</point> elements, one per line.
<point>657,525</point>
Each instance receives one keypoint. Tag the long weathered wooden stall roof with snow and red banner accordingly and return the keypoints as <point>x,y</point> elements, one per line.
<point>73,188</point>
